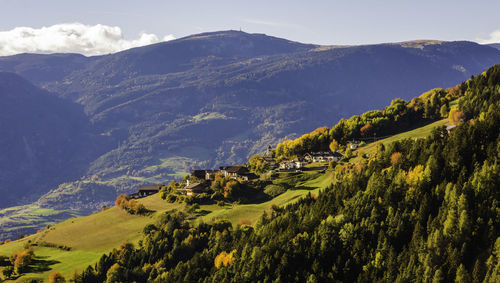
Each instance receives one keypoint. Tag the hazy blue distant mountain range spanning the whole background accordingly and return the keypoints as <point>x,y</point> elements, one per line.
<point>96,126</point>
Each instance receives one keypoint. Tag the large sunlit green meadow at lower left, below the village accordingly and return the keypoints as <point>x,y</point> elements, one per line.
<point>89,237</point>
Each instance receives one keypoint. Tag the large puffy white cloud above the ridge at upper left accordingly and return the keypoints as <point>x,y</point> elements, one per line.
<point>71,38</point>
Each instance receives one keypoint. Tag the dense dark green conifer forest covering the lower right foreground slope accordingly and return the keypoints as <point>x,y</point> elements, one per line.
<point>417,210</point>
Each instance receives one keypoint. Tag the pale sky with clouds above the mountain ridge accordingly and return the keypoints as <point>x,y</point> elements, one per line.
<point>98,27</point>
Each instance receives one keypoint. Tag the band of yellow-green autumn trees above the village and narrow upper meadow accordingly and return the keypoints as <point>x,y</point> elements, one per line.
<point>397,117</point>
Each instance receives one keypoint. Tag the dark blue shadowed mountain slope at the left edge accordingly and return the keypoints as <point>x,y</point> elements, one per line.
<point>45,140</point>
